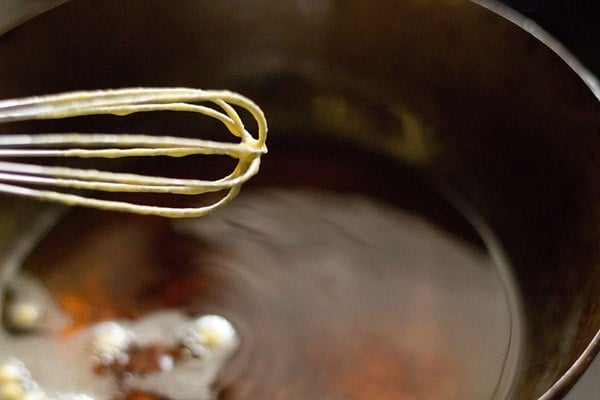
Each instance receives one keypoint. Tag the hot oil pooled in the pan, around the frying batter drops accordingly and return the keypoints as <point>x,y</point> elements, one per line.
<point>345,276</point>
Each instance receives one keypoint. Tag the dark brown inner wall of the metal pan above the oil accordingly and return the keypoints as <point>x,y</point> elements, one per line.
<point>505,124</point>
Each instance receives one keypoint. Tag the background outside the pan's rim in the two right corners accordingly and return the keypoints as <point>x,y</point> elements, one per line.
<point>576,24</point>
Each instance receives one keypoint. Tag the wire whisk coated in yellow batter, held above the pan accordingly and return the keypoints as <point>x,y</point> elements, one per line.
<point>27,179</point>
